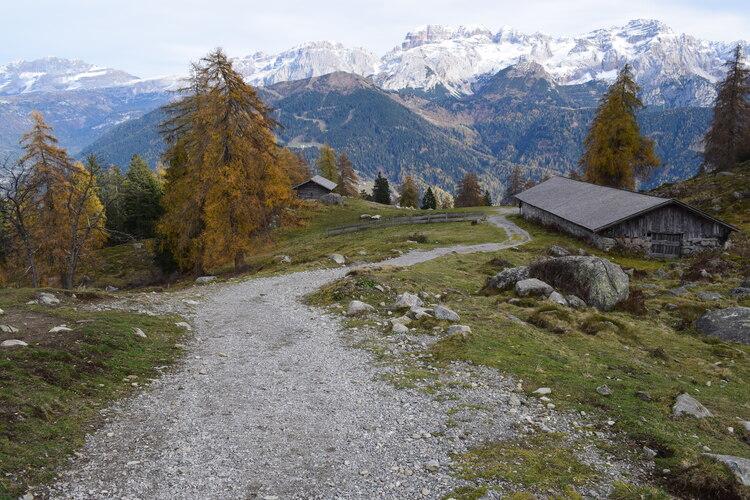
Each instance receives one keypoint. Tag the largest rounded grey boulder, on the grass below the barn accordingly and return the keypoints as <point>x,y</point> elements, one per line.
<point>599,282</point>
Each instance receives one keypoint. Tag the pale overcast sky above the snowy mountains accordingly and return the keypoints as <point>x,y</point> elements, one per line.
<point>159,37</point>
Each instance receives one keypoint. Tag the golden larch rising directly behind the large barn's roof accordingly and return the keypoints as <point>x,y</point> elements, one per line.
<point>615,152</point>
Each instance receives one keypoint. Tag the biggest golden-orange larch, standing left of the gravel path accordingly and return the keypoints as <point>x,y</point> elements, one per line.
<point>225,186</point>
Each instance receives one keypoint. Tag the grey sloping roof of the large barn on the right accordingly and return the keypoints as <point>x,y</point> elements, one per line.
<point>595,207</point>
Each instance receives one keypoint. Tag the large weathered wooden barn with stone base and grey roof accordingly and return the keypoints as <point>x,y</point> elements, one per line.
<point>659,227</point>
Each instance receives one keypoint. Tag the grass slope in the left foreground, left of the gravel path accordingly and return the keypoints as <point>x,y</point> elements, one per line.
<point>51,395</point>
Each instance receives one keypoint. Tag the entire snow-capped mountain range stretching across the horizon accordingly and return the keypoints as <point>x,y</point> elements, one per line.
<point>673,69</point>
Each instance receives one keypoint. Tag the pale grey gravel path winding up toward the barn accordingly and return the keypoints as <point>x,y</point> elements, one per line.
<point>271,401</point>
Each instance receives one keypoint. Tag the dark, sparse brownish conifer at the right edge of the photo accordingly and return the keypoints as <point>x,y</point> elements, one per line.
<point>728,138</point>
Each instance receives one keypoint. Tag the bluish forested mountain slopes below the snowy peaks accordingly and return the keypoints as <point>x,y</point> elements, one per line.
<point>519,116</point>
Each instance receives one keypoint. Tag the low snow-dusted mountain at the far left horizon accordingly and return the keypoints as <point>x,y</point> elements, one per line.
<point>54,74</point>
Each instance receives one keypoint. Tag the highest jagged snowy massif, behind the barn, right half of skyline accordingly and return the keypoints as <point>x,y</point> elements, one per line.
<point>673,69</point>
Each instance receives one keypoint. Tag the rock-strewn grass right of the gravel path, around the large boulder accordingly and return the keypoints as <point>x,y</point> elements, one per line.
<point>574,352</point>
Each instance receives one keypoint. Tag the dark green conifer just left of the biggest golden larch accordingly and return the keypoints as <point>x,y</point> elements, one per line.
<point>141,200</point>
